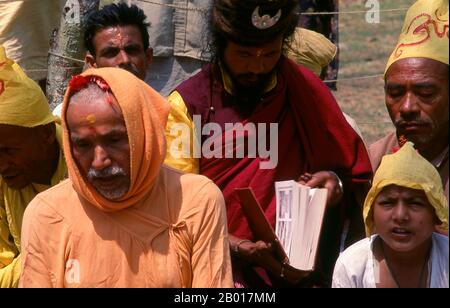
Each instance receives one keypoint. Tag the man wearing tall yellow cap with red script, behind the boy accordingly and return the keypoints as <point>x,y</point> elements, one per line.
<point>417,86</point>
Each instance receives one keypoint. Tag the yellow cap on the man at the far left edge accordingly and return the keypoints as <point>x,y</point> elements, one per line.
<point>22,102</point>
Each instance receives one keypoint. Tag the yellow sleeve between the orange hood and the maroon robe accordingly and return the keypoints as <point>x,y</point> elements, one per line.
<point>181,140</point>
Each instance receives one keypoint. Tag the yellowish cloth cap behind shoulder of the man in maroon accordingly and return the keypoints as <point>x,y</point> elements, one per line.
<point>311,49</point>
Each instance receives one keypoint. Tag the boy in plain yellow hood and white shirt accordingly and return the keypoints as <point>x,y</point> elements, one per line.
<point>403,206</point>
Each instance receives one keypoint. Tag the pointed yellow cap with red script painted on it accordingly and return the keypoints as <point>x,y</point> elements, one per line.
<point>424,33</point>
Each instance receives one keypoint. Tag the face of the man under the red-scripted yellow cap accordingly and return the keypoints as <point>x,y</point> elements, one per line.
<point>417,101</point>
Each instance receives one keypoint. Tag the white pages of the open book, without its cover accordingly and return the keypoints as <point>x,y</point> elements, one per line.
<point>300,211</point>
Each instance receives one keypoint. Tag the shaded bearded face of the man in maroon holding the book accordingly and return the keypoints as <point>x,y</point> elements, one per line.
<point>250,66</point>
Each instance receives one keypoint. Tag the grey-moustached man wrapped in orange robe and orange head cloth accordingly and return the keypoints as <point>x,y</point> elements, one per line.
<point>122,219</point>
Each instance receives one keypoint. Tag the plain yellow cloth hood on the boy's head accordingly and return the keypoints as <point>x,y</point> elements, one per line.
<point>407,168</point>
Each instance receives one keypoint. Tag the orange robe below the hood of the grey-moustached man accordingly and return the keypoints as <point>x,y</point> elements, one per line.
<point>166,241</point>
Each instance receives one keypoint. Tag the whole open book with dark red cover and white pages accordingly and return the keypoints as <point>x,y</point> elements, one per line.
<point>296,236</point>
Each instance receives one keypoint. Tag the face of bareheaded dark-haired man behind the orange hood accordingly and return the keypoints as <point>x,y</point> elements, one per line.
<point>122,47</point>
